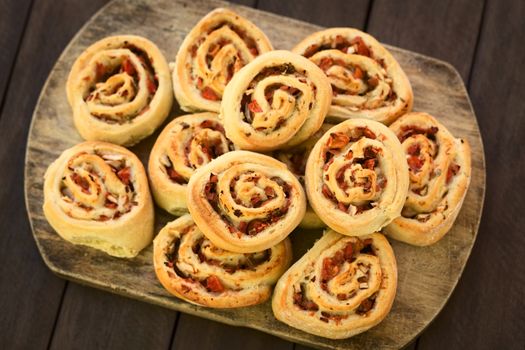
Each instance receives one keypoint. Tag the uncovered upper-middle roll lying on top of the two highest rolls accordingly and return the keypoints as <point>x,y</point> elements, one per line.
<point>278,100</point>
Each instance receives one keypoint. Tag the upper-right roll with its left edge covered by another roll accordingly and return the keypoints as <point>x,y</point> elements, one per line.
<point>367,81</point>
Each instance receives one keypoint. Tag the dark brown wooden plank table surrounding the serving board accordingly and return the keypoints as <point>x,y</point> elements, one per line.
<point>482,39</point>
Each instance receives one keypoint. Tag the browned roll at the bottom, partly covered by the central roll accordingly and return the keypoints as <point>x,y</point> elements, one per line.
<point>192,268</point>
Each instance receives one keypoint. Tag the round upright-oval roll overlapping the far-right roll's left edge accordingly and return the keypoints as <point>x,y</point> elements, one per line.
<point>356,177</point>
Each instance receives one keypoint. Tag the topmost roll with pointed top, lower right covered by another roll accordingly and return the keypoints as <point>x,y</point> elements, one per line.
<point>211,54</point>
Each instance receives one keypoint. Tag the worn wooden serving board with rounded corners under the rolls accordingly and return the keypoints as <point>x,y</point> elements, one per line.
<point>427,276</point>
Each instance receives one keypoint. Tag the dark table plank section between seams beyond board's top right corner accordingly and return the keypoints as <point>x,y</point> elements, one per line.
<point>443,29</point>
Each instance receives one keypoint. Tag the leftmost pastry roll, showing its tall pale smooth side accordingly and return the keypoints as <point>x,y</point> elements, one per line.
<point>96,194</point>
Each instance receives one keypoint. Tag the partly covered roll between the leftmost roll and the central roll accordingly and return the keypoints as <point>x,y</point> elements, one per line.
<point>185,144</point>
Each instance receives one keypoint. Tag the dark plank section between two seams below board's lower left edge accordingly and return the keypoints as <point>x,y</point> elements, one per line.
<point>92,319</point>
